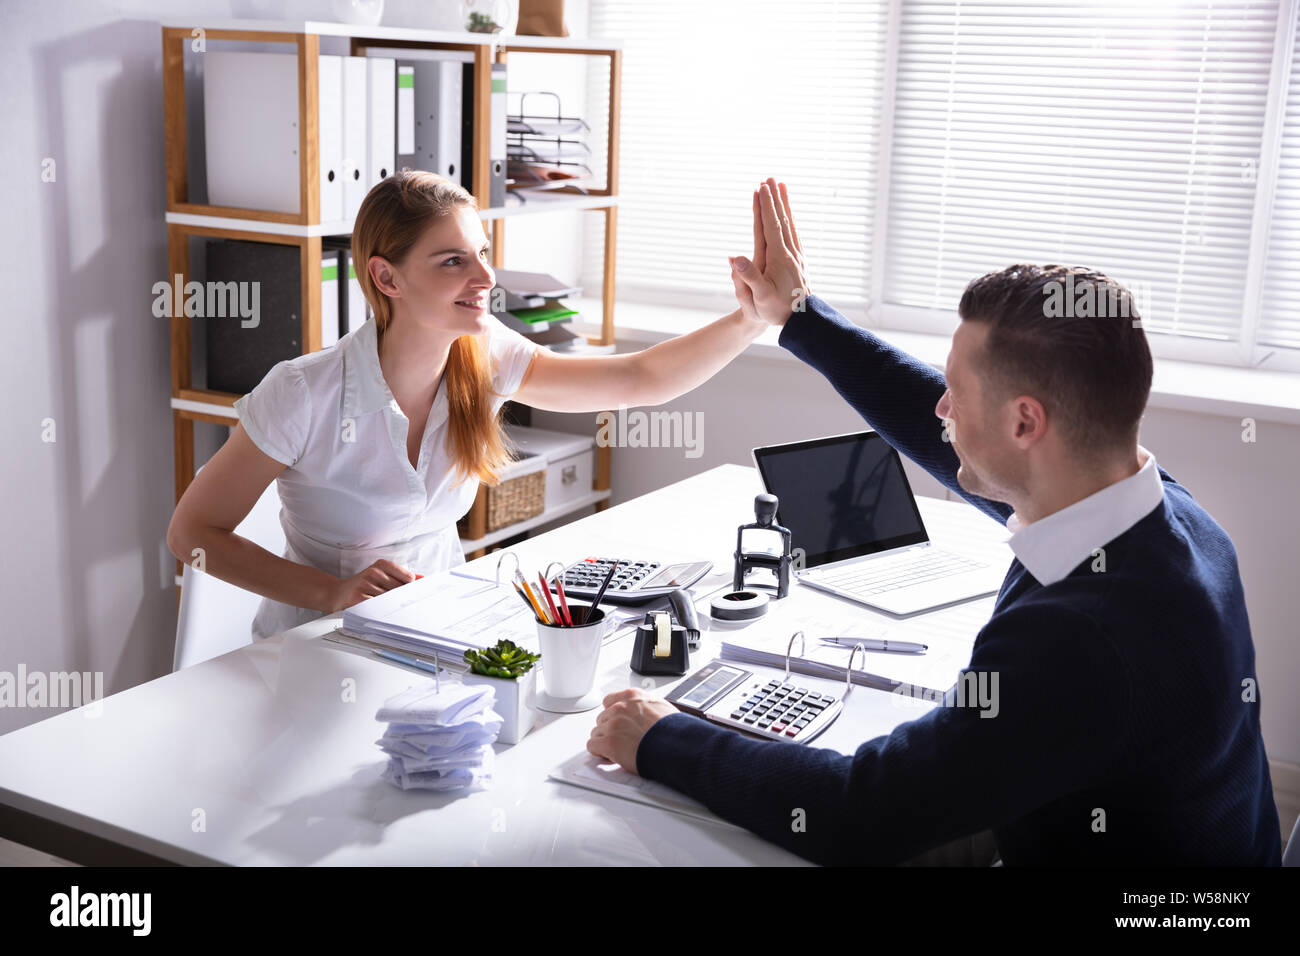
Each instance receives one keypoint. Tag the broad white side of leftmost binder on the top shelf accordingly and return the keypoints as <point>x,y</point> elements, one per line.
<point>250,119</point>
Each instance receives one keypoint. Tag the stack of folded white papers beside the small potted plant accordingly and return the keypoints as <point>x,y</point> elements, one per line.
<point>440,739</point>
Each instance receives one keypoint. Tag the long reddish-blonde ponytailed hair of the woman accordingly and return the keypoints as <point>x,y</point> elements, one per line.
<point>389,223</point>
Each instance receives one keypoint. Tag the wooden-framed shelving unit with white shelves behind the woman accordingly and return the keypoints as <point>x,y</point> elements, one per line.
<point>304,230</point>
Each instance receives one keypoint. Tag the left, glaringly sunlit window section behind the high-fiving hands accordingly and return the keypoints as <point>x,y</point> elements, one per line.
<point>718,97</point>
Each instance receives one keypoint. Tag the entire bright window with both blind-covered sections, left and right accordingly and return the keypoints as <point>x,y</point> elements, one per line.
<point>929,142</point>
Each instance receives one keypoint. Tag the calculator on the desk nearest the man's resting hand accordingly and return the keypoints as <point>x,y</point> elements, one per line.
<point>773,710</point>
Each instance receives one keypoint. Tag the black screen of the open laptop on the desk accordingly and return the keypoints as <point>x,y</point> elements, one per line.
<point>842,498</point>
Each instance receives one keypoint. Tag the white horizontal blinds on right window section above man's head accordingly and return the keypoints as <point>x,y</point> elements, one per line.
<point>1120,136</point>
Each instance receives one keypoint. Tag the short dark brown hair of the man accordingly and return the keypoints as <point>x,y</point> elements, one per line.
<point>1072,339</point>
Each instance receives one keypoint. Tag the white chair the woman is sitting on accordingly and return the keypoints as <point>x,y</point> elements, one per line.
<point>216,617</point>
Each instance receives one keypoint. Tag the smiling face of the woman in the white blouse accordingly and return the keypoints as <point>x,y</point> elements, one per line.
<point>447,279</point>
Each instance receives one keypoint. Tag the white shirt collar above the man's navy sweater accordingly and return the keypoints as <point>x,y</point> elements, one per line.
<point>1051,548</point>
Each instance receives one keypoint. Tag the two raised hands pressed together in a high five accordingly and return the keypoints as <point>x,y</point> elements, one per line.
<point>773,285</point>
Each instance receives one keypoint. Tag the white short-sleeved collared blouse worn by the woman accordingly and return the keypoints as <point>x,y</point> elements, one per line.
<point>350,496</point>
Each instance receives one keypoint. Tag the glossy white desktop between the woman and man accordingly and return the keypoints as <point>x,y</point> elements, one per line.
<point>265,751</point>
